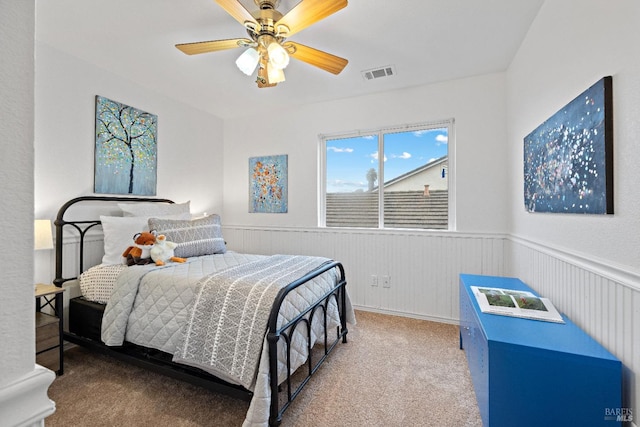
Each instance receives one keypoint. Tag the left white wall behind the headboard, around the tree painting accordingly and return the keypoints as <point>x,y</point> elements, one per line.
<point>189,141</point>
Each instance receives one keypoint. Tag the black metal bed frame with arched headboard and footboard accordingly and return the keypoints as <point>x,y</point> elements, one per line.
<point>161,362</point>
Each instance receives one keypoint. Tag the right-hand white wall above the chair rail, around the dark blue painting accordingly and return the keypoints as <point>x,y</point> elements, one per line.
<point>569,48</point>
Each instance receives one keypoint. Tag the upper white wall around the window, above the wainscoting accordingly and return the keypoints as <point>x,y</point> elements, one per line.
<point>476,104</point>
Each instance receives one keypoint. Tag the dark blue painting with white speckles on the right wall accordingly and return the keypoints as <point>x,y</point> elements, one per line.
<point>568,160</point>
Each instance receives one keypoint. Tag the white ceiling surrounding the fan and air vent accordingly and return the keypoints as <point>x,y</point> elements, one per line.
<point>425,40</point>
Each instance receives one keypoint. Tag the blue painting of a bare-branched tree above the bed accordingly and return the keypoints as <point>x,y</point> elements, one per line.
<point>126,149</point>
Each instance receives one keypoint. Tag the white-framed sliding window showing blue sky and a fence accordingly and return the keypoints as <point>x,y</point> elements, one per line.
<point>414,168</point>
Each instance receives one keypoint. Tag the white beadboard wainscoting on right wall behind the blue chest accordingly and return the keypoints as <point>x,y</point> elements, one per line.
<point>602,299</point>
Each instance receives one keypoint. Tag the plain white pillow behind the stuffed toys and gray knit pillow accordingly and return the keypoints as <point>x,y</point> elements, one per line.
<point>119,231</point>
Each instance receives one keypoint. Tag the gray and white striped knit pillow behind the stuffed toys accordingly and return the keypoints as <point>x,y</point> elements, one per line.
<point>202,236</point>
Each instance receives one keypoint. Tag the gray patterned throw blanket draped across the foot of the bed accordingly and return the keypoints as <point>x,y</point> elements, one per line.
<point>229,314</point>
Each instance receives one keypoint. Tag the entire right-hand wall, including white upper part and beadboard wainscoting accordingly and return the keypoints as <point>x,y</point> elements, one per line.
<point>588,265</point>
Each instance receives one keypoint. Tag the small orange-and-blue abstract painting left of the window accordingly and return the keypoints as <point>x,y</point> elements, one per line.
<point>268,184</point>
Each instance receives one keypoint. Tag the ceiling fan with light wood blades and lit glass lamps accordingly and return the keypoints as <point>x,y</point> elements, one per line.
<point>268,29</point>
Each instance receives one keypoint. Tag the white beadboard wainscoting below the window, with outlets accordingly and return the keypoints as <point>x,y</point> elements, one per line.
<point>422,267</point>
